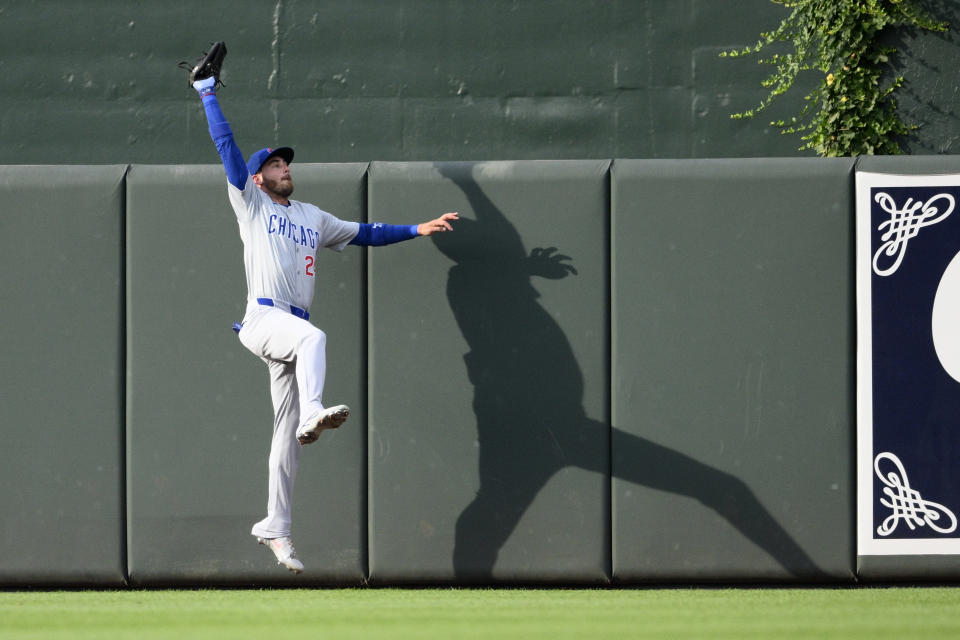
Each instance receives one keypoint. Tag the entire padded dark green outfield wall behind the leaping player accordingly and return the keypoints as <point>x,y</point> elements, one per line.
<point>628,371</point>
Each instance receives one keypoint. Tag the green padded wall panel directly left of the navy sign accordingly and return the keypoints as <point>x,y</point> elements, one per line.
<point>733,351</point>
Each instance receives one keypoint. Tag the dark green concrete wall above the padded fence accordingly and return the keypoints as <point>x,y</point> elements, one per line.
<point>405,80</point>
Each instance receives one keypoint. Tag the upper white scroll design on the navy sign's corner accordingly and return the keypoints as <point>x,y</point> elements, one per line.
<point>904,225</point>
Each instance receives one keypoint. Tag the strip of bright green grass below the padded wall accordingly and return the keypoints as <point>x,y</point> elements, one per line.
<point>485,613</point>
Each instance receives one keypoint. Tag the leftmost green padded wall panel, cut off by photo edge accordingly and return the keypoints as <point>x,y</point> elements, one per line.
<point>60,348</point>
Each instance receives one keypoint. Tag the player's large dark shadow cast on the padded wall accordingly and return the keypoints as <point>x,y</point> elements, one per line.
<point>528,392</point>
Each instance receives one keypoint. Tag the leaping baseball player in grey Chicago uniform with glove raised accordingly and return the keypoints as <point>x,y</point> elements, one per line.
<point>281,238</point>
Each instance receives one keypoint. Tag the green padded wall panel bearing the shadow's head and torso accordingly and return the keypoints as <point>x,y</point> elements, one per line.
<point>489,375</point>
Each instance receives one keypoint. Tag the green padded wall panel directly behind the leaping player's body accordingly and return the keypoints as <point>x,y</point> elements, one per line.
<point>199,410</point>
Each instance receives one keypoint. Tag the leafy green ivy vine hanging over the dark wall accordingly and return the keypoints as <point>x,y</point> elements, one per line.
<point>852,110</point>
